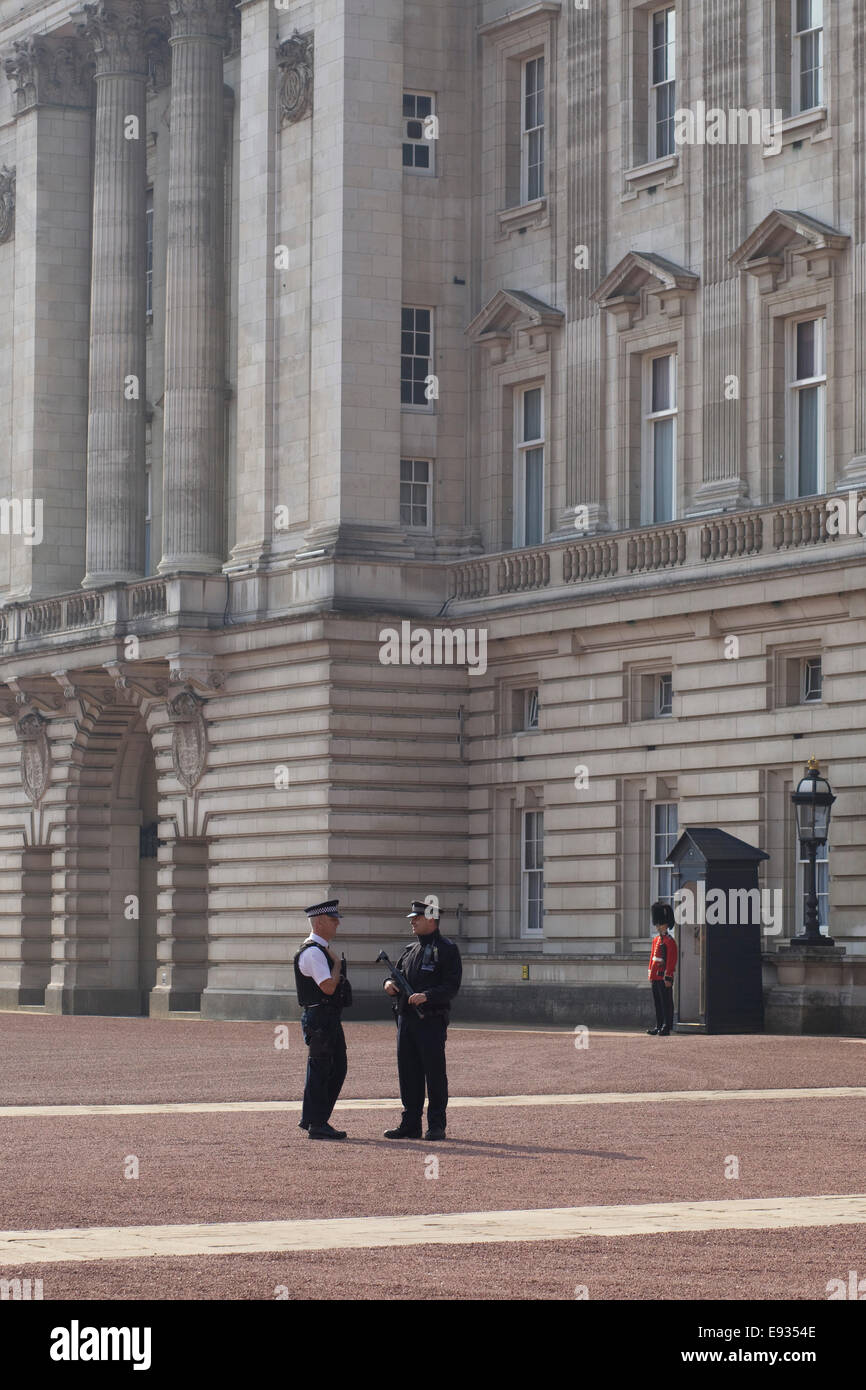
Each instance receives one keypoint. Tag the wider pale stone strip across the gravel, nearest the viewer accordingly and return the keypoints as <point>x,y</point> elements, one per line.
<point>38,1248</point>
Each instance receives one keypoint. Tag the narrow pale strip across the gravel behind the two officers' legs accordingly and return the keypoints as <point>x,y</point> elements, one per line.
<point>801,1093</point>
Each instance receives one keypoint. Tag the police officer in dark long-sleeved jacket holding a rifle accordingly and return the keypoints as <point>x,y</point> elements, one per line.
<point>433,968</point>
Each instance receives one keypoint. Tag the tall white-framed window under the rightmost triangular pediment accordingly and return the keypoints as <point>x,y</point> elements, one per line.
<point>807,408</point>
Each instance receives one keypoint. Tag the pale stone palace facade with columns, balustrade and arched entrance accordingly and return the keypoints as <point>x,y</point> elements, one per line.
<point>425,432</point>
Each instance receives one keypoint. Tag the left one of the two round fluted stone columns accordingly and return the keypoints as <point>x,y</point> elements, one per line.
<point>116,425</point>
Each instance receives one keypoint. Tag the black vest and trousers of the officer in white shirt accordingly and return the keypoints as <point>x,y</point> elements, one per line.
<point>323,1033</point>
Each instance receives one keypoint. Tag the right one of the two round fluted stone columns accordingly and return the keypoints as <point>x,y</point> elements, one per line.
<point>194,465</point>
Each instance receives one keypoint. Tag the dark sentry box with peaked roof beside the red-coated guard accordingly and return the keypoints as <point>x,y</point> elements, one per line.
<point>721,915</point>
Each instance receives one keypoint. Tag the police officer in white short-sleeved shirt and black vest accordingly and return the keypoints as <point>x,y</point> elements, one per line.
<point>323,993</point>
